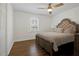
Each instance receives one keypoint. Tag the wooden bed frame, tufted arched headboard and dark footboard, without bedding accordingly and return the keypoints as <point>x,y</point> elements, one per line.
<point>48,46</point>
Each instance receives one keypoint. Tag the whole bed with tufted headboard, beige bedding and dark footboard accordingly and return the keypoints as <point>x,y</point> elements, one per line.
<point>64,34</point>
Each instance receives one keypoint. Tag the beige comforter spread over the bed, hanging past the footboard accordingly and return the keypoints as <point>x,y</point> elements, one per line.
<point>57,38</point>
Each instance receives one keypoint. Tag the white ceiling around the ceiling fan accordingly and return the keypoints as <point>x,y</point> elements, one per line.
<point>33,7</point>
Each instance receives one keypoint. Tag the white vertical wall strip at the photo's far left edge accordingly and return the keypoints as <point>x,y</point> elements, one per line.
<point>3,30</point>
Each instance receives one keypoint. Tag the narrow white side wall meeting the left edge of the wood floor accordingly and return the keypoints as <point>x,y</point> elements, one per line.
<point>9,28</point>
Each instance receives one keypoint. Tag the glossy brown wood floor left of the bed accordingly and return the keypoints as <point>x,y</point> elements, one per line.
<point>27,48</point>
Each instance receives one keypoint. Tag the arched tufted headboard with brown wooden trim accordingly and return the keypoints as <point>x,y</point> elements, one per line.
<point>66,23</point>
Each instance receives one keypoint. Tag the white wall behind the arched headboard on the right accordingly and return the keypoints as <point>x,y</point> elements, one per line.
<point>72,14</point>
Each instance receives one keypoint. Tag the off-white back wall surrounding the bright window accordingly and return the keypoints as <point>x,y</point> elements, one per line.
<point>22,25</point>
